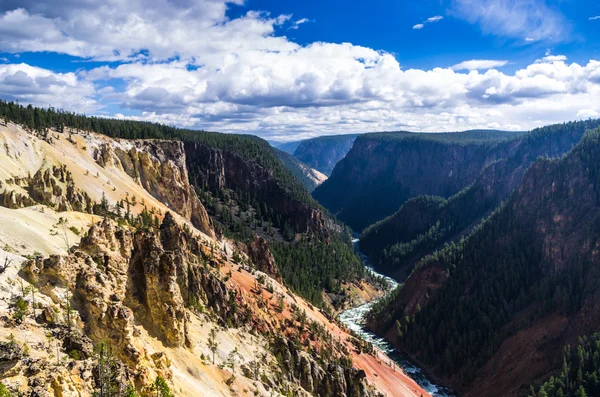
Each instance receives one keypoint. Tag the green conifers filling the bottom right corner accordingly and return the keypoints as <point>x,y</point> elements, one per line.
<point>580,372</point>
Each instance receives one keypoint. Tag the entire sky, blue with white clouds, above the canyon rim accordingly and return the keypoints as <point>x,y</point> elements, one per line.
<point>287,70</point>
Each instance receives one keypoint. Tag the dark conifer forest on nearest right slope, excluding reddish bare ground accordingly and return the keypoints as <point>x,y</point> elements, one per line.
<point>505,267</point>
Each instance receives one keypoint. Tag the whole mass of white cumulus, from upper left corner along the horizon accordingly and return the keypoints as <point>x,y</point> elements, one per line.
<point>186,63</point>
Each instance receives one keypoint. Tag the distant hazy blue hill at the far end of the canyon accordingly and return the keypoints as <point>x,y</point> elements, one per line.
<point>324,152</point>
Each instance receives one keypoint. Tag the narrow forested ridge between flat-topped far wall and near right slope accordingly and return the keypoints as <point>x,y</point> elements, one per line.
<point>425,223</point>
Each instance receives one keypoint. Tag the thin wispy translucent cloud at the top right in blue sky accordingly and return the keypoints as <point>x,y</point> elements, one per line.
<point>531,20</point>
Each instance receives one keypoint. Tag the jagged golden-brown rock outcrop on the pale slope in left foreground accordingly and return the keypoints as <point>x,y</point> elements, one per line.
<point>119,277</point>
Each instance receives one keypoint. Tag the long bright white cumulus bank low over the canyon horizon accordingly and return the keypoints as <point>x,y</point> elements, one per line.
<point>329,88</point>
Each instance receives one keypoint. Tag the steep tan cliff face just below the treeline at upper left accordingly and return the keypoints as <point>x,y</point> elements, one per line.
<point>160,168</point>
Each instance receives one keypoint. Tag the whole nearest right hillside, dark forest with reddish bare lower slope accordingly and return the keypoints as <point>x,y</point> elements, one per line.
<point>489,313</point>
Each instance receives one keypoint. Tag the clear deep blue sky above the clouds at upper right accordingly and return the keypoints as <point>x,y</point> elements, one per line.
<point>387,25</point>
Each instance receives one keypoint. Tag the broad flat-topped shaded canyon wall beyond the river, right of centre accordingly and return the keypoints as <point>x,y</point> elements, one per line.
<point>384,170</point>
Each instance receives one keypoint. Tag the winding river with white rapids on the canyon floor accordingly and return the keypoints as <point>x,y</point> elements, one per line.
<point>354,319</point>
